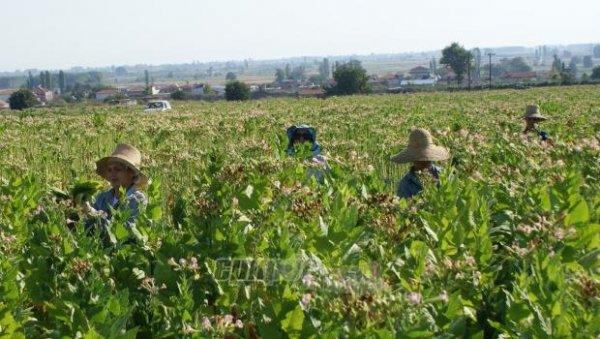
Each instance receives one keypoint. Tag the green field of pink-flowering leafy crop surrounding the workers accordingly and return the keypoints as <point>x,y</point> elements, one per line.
<point>508,244</point>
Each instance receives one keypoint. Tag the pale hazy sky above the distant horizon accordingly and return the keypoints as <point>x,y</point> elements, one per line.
<point>53,34</point>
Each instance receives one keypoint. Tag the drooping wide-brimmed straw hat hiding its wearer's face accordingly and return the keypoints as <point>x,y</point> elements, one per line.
<point>421,148</point>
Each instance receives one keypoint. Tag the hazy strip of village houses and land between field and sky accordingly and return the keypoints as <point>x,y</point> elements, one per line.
<point>516,67</point>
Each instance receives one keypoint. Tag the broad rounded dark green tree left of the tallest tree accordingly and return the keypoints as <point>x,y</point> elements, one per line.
<point>350,78</point>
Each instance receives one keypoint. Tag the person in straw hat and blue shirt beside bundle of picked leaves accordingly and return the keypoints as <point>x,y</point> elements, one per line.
<point>122,170</point>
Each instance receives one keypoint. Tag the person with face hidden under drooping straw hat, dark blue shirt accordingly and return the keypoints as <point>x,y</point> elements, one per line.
<point>421,151</point>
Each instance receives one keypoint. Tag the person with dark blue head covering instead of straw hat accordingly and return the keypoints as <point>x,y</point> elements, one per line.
<point>303,136</point>
